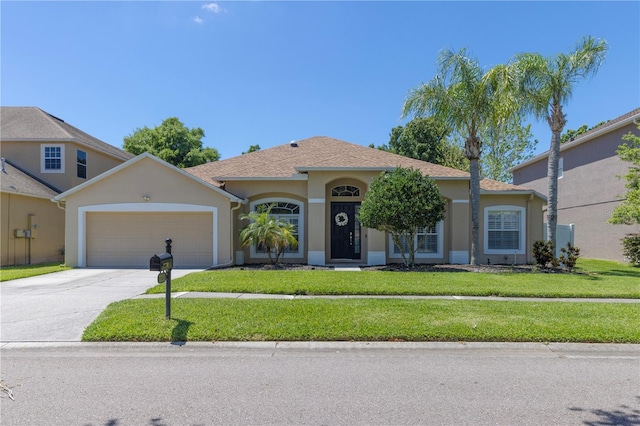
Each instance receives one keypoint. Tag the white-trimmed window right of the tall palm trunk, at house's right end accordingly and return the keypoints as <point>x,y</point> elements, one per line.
<point>504,230</point>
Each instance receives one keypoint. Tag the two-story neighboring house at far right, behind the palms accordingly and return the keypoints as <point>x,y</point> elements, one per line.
<point>589,187</point>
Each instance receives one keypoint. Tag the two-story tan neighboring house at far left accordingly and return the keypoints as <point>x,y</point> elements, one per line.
<point>42,157</point>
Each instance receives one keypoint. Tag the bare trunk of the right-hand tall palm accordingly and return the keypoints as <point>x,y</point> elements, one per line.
<point>556,120</point>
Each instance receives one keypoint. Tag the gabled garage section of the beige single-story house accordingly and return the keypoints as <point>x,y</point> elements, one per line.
<point>122,217</point>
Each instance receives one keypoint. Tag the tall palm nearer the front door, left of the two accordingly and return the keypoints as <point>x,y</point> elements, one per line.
<point>466,98</point>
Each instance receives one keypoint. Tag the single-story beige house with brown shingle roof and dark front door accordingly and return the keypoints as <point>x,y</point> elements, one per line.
<point>123,217</point>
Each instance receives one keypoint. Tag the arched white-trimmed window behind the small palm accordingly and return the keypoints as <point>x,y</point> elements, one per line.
<point>288,210</point>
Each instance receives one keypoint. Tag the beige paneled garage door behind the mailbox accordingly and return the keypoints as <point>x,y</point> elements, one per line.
<point>130,239</point>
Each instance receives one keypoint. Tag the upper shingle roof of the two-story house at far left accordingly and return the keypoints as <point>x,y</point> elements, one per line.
<point>34,124</point>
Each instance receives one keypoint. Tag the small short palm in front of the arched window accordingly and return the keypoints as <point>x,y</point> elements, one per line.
<point>264,230</point>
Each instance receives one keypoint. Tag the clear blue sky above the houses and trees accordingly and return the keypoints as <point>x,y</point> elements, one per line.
<point>266,73</point>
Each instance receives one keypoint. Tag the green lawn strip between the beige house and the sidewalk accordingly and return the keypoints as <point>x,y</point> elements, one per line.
<point>593,279</point>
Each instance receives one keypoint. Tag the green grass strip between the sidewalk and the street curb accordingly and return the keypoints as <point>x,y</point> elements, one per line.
<point>366,320</point>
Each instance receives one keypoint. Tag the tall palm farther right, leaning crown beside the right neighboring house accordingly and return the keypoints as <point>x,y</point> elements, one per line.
<point>546,86</point>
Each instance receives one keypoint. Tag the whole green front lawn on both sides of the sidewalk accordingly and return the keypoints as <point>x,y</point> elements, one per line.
<point>372,319</point>
